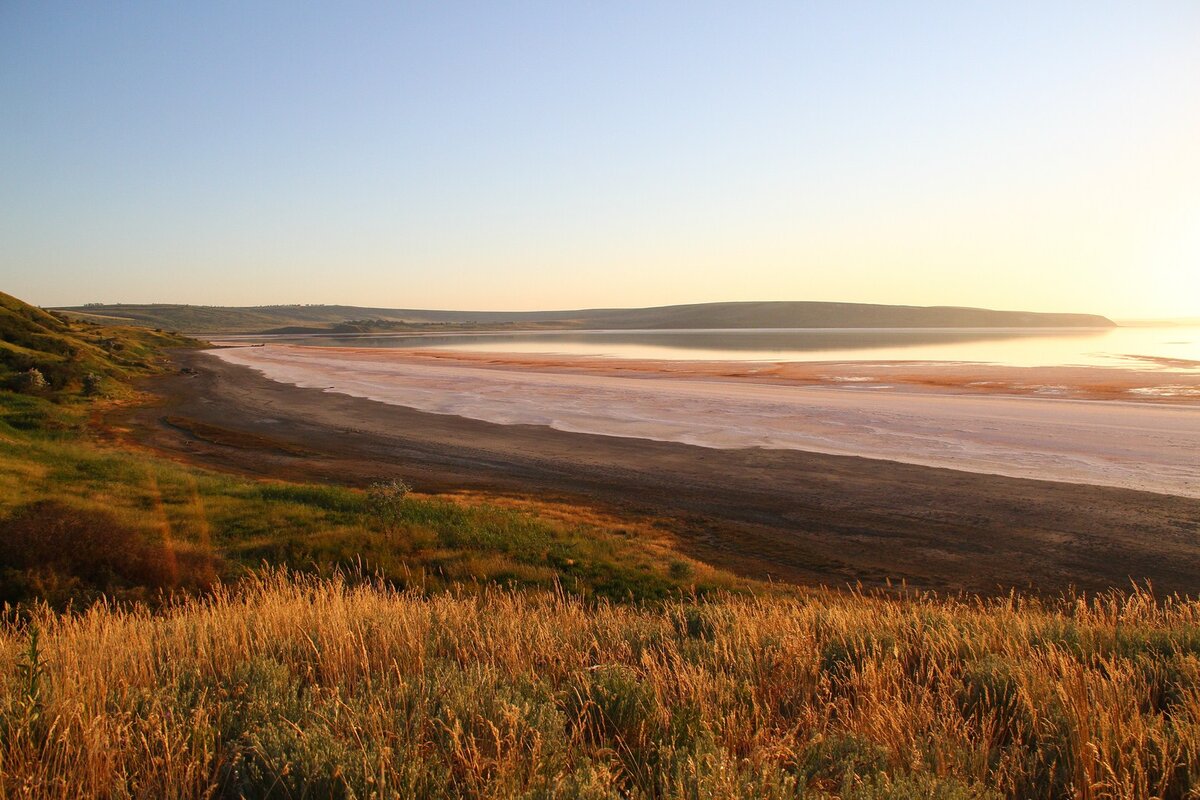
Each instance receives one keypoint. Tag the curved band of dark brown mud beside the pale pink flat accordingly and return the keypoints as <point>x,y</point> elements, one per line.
<point>790,516</point>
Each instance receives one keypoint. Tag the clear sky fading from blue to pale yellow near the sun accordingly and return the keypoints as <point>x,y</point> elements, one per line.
<point>1039,155</point>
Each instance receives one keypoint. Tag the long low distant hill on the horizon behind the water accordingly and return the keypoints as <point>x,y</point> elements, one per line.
<point>259,320</point>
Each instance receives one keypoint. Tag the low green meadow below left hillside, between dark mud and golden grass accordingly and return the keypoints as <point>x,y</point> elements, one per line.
<point>83,520</point>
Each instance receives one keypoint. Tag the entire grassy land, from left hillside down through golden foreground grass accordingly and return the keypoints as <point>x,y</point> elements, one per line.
<point>170,631</point>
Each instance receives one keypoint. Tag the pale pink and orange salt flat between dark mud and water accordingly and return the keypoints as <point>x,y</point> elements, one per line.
<point>1131,429</point>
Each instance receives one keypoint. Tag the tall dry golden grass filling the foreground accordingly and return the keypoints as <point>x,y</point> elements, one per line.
<point>297,688</point>
